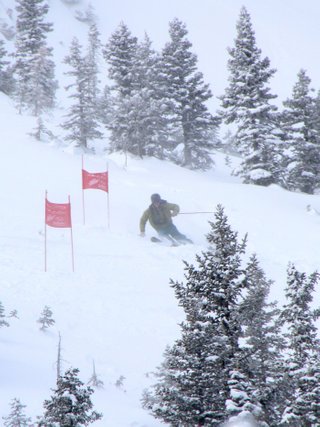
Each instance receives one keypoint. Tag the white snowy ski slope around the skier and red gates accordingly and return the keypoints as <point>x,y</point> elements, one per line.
<point>117,309</point>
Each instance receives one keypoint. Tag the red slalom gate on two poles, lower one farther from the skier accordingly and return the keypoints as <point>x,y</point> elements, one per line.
<point>57,215</point>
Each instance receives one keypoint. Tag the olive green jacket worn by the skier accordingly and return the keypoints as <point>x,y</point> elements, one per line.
<point>159,217</point>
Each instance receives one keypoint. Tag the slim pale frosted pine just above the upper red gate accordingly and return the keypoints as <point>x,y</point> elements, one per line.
<point>82,120</point>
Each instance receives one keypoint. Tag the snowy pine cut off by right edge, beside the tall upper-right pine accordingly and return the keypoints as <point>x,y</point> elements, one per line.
<point>300,123</point>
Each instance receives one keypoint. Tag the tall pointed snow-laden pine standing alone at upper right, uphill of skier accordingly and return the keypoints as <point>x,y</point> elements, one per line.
<point>246,102</point>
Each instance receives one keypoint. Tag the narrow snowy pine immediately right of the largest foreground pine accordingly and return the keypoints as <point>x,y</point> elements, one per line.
<point>263,344</point>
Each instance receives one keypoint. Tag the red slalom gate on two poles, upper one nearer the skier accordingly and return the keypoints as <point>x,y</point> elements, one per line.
<point>98,181</point>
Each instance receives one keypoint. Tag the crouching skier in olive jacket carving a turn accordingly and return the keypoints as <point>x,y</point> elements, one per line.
<point>160,214</point>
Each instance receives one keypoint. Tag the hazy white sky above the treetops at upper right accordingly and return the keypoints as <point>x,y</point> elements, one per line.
<point>287,31</point>
